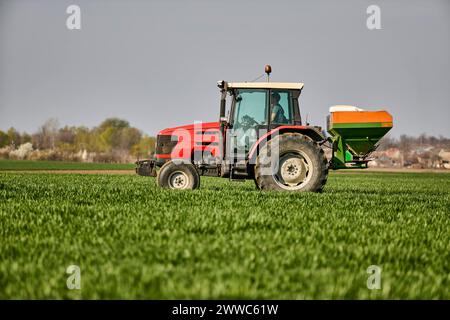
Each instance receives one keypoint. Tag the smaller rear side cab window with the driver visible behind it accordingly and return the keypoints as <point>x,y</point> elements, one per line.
<point>280,108</point>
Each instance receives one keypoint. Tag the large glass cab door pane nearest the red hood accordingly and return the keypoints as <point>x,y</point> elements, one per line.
<point>250,112</point>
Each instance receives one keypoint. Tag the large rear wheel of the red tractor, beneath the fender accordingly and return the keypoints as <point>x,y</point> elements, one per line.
<point>300,164</point>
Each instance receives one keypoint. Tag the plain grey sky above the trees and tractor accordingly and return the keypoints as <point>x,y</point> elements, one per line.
<point>155,63</point>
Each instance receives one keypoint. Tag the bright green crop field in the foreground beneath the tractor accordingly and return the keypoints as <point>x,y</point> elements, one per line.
<point>226,240</point>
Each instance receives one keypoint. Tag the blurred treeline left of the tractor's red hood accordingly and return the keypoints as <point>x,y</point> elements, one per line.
<point>114,140</point>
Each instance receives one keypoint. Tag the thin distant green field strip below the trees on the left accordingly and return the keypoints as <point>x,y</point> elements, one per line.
<point>21,165</point>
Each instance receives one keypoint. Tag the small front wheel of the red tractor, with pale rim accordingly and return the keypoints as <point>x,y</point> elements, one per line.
<point>178,176</point>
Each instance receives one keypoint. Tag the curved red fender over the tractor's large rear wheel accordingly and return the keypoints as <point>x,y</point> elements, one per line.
<point>311,132</point>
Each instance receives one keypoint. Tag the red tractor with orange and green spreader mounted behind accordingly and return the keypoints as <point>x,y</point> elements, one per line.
<point>263,138</point>
